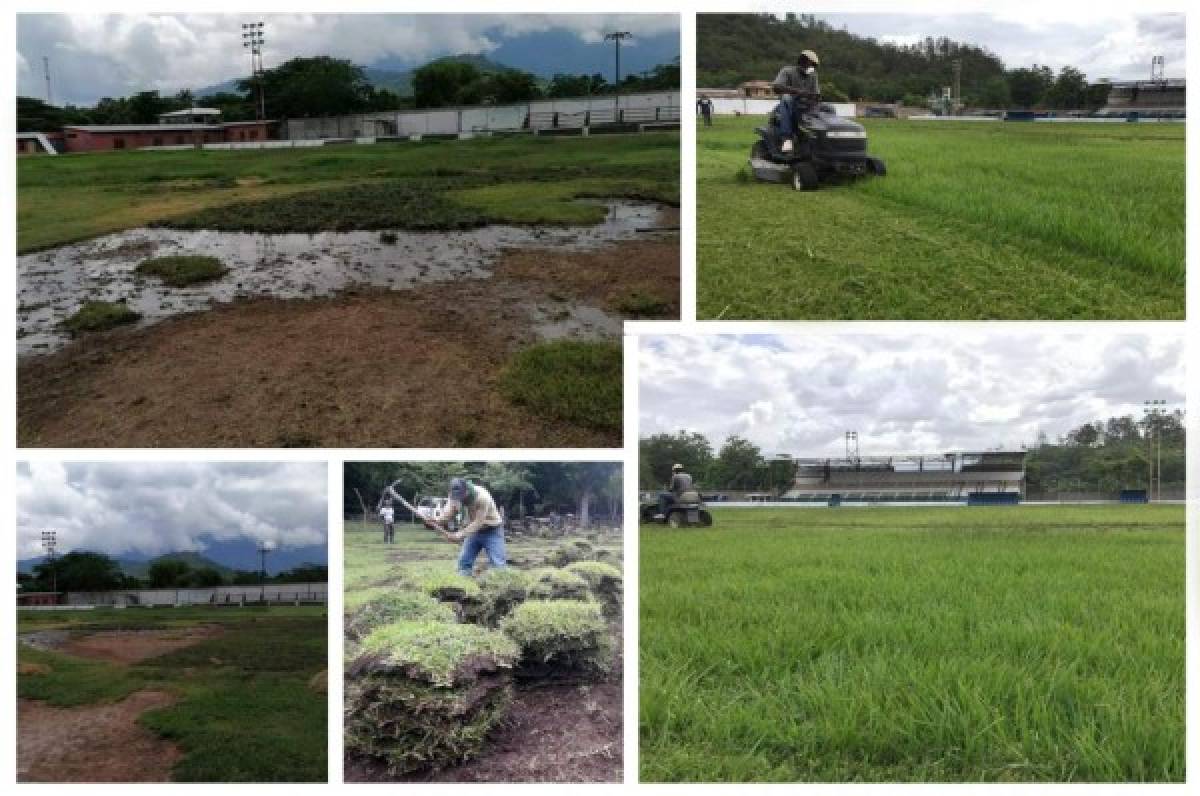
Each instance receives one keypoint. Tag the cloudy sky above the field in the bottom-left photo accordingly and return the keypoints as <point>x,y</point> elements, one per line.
<point>164,507</point>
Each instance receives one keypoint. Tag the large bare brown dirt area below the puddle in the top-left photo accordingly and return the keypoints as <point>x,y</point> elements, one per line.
<point>373,369</point>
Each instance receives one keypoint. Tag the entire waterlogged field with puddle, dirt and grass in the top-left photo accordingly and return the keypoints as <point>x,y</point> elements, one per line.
<point>309,297</point>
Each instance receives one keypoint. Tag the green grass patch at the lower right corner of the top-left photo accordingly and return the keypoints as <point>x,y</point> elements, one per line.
<point>574,381</point>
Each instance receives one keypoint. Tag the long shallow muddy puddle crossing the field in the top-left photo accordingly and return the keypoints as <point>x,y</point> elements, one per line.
<point>53,285</point>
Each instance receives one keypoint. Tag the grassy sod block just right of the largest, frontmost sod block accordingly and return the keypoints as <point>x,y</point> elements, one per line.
<point>561,641</point>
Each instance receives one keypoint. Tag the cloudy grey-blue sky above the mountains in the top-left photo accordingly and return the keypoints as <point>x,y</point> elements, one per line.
<point>118,55</point>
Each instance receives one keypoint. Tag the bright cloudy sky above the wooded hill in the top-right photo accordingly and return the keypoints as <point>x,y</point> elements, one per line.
<point>1102,44</point>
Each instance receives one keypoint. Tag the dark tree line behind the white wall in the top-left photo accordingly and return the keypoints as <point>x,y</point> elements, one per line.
<point>332,87</point>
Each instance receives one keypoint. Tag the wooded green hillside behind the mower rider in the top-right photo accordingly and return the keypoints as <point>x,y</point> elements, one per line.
<point>733,49</point>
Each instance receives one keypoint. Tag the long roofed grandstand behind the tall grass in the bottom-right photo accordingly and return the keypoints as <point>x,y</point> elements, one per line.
<point>993,476</point>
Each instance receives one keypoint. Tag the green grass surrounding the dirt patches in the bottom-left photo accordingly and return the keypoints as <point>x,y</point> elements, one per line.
<point>245,710</point>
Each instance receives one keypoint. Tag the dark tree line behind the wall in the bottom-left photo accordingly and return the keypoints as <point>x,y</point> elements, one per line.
<point>95,572</point>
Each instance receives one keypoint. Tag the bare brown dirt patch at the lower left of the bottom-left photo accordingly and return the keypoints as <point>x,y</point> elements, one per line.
<point>93,744</point>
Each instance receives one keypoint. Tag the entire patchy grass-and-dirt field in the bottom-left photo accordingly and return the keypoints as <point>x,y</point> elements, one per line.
<point>175,695</point>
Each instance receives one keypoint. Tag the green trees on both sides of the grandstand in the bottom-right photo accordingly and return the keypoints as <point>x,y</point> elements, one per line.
<point>1101,457</point>
